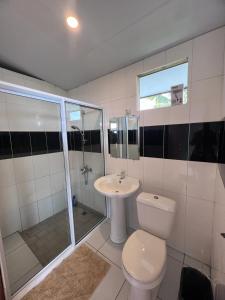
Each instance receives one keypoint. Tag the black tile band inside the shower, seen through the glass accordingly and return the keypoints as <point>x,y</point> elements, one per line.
<point>29,143</point>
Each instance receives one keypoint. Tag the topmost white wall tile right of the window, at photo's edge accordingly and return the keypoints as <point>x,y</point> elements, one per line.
<point>208,55</point>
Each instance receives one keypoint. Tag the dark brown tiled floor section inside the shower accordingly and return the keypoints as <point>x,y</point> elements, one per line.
<point>50,237</point>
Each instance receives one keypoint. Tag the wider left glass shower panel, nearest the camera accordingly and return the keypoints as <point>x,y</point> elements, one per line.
<point>34,224</point>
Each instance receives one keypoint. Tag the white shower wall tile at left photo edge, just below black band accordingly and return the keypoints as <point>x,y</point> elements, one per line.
<point>7,177</point>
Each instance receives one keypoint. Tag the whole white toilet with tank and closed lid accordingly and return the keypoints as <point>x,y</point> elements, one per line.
<point>144,254</point>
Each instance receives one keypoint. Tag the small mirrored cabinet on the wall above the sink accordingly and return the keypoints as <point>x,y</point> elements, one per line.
<point>123,137</point>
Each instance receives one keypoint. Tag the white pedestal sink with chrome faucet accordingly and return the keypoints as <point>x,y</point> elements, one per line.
<point>117,189</point>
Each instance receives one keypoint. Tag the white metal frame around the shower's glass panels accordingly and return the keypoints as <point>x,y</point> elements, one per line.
<point>9,88</point>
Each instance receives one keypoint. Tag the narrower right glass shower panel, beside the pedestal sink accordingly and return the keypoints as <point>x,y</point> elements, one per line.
<point>86,163</point>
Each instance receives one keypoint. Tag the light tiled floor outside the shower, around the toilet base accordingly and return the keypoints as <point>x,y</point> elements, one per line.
<point>114,285</point>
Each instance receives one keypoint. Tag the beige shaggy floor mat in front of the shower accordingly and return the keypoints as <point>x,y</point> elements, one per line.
<point>75,278</point>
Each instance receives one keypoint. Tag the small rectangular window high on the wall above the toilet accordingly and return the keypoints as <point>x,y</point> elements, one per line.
<point>163,88</point>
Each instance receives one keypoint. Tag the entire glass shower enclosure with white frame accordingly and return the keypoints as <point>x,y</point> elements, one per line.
<point>51,152</point>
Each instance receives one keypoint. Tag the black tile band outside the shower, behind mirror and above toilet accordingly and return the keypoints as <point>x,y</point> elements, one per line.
<point>203,141</point>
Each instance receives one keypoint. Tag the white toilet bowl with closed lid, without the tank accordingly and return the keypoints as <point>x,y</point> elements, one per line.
<point>144,264</point>
